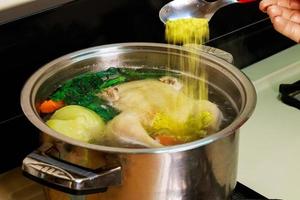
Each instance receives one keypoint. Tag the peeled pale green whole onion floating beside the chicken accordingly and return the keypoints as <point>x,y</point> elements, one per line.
<point>78,123</point>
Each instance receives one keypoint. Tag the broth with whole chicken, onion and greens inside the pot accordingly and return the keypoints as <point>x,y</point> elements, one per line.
<point>137,107</point>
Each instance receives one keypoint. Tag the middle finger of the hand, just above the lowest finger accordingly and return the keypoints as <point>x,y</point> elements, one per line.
<point>292,15</point>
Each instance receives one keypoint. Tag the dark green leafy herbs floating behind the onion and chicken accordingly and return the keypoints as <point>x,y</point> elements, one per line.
<point>82,89</point>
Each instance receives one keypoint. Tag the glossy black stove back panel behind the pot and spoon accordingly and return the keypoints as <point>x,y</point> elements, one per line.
<point>28,43</point>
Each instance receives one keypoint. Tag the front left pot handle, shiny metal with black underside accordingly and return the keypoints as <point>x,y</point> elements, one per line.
<point>67,177</point>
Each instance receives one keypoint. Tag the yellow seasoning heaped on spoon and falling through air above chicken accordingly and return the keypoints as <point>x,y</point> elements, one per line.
<point>190,32</point>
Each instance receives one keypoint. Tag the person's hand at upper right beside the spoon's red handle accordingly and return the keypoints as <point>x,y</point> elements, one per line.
<point>285,16</point>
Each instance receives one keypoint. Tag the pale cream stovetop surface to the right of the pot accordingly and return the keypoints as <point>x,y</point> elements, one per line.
<point>269,159</point>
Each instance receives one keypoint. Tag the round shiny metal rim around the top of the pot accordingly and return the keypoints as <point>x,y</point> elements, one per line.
<point>243,115</point>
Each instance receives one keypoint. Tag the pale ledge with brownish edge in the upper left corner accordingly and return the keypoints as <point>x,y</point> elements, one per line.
<point>11,10</point>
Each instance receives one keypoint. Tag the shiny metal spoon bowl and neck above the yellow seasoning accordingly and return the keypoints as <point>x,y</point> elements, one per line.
<point>177,9</point>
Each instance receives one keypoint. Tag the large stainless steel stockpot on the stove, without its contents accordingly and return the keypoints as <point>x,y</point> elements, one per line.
<point>204,169</point>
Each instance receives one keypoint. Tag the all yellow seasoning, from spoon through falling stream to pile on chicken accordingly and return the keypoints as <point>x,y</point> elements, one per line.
<point>172,125</point>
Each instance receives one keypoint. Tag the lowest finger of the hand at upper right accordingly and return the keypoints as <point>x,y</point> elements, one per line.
<point>287,28</point>
